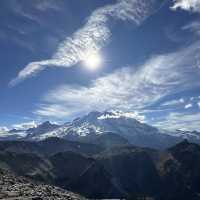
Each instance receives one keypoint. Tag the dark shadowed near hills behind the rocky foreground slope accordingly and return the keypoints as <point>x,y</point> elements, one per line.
<point>121,171</point>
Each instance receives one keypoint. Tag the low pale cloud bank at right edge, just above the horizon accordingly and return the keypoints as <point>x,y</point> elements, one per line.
<point>175,121</point>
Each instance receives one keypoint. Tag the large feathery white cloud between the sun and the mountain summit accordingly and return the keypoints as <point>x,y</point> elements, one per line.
<point>129,88</point>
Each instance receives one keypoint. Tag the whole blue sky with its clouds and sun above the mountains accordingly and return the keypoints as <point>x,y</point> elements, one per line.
<point>148,55</point>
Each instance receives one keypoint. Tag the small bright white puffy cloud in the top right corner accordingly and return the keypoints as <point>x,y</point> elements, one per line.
<point>188,5</point>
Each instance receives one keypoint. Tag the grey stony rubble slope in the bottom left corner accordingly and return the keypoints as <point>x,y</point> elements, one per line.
<point>13,188</point>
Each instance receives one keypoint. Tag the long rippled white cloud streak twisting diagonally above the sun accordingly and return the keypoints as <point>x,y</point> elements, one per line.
<point>91,37</point>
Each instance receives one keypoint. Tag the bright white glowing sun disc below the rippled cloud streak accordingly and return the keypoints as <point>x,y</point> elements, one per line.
<point>92,60</point>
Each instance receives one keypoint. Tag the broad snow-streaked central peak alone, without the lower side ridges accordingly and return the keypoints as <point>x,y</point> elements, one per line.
<point>96,123</point>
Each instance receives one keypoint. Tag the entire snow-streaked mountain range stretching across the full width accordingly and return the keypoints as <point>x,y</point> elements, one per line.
<point>90,126</point>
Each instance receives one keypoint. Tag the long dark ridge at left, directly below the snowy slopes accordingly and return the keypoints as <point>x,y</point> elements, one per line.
<point>49,146</point>
